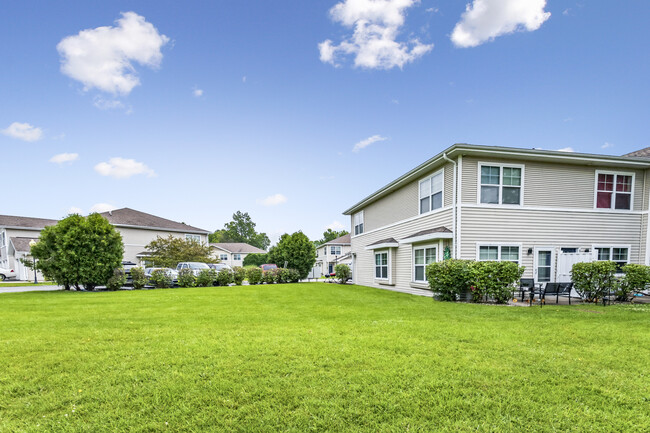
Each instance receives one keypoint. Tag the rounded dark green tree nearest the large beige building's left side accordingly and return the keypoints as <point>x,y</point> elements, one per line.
<point>297,250</point>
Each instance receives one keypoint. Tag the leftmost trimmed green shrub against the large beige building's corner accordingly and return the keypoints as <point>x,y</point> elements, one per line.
<point>450,278</point>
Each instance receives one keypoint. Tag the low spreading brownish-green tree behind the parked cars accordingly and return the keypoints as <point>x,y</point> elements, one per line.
<point>168,252</point>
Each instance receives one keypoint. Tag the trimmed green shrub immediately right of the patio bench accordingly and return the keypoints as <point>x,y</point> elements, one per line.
<point>592,280</point>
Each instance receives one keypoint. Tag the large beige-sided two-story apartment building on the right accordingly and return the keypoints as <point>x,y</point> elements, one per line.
<point>545,210</point>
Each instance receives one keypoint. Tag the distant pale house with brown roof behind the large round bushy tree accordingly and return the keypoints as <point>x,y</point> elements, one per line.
<point>137,229</point>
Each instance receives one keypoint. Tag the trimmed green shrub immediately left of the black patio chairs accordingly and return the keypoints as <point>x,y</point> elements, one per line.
<point>494,279</point>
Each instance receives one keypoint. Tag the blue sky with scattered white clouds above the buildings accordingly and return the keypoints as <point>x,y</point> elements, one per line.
<point>258,106</point>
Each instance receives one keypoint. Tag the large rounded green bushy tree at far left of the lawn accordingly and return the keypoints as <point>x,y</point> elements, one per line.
<point>79,251</point>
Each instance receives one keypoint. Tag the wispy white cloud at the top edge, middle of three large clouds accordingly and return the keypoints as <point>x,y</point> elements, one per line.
<point>376,26</point>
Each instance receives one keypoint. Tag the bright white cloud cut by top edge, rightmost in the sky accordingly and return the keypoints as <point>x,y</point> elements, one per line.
<point>484,20</point>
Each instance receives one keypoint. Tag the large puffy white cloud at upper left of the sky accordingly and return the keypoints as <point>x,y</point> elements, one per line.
<point>102,57</point>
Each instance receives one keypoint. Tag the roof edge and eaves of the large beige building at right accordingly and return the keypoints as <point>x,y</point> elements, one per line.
<point>499,151</point>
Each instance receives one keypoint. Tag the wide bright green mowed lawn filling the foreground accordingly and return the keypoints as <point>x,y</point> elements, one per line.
<point>317,357</point>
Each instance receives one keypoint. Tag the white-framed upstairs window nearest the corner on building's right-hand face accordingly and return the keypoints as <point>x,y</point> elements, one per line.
<point>500,184</point>
